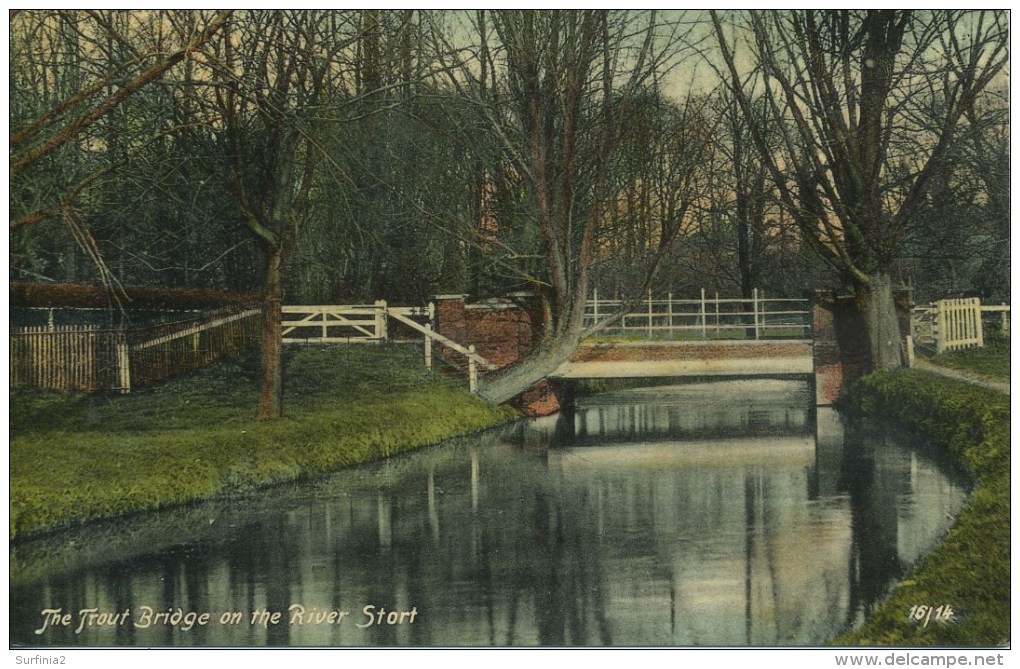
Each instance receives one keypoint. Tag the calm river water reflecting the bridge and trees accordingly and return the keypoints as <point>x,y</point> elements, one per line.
<point>727,513</point>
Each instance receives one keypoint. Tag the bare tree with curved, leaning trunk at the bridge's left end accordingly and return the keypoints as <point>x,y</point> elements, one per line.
<point>568,82</point>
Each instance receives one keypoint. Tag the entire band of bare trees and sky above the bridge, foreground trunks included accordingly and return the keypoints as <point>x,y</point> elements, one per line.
<point>350,156</point>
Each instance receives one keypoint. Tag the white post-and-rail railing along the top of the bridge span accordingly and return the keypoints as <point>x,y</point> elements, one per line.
<point>705,319</point>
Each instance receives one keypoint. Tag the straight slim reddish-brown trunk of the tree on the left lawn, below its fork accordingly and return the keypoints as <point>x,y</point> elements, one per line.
<point>271,401</point>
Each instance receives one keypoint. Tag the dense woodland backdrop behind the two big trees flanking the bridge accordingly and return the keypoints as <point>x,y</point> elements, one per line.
<point>395,148</point>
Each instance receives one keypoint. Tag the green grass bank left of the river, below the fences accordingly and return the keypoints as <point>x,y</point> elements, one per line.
<point>77,457</point>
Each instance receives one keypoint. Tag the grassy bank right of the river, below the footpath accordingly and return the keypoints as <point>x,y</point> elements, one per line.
<point>971,570</point>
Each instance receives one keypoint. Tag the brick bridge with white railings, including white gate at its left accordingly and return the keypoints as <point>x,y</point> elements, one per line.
<point>708,337</point>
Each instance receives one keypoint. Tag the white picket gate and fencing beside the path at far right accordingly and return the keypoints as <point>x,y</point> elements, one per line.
<point>956,324</point>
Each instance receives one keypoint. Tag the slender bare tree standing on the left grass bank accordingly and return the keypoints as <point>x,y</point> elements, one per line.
<point>272,71</point>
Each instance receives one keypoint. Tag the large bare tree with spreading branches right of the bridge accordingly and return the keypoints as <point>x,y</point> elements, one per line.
<point>848,89</point>
